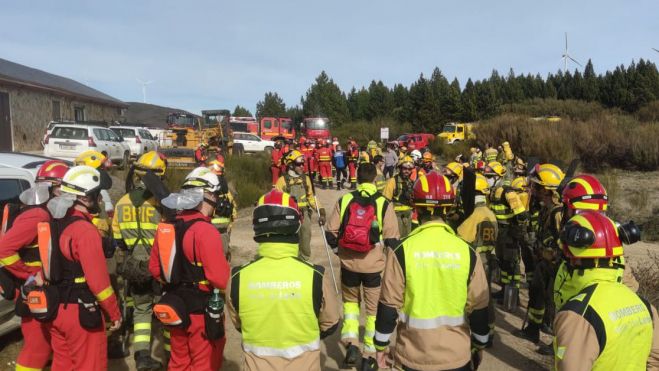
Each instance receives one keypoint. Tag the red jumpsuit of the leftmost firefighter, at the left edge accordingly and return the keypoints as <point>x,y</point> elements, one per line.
<point>23,237</point>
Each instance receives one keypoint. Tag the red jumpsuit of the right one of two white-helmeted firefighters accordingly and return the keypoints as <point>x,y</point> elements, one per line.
<point>190,348</point>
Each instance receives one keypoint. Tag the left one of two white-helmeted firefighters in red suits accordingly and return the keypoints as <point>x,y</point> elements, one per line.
<point>74,267</point>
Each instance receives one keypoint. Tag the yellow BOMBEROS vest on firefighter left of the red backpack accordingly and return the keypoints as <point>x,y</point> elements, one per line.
<point>278,301</point>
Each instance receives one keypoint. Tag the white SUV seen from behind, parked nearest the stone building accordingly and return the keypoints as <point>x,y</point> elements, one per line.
<point>67,141</point>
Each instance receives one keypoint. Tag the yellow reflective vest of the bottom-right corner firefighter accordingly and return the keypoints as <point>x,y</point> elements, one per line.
<point>622,322</point>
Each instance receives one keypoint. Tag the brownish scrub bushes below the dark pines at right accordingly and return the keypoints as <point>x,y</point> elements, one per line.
<point>603,140</point>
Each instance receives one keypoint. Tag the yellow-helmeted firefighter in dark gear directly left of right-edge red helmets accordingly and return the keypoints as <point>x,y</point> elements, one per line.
<point>545,180</point>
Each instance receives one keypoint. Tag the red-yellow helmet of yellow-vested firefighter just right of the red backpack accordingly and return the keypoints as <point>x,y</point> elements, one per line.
<point>433,190</point>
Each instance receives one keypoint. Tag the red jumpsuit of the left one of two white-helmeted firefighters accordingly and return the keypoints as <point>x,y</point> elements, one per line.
<point>74,347</point>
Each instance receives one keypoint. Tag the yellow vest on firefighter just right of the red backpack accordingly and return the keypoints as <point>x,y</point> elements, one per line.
<point>438,266</point>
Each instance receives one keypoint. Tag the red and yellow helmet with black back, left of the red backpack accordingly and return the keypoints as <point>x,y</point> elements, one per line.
<point>277,214</point>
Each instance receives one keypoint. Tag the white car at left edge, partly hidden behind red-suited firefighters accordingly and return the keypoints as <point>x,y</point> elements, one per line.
<point>17,173</point>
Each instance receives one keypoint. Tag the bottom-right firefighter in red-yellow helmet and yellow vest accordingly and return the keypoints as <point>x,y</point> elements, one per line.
<point>604,325</point>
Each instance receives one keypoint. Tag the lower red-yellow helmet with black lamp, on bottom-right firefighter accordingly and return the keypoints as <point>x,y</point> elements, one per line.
<point>591,235</point>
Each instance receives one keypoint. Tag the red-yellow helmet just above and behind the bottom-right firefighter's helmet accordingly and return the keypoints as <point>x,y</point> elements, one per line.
<point>585,192</point>
